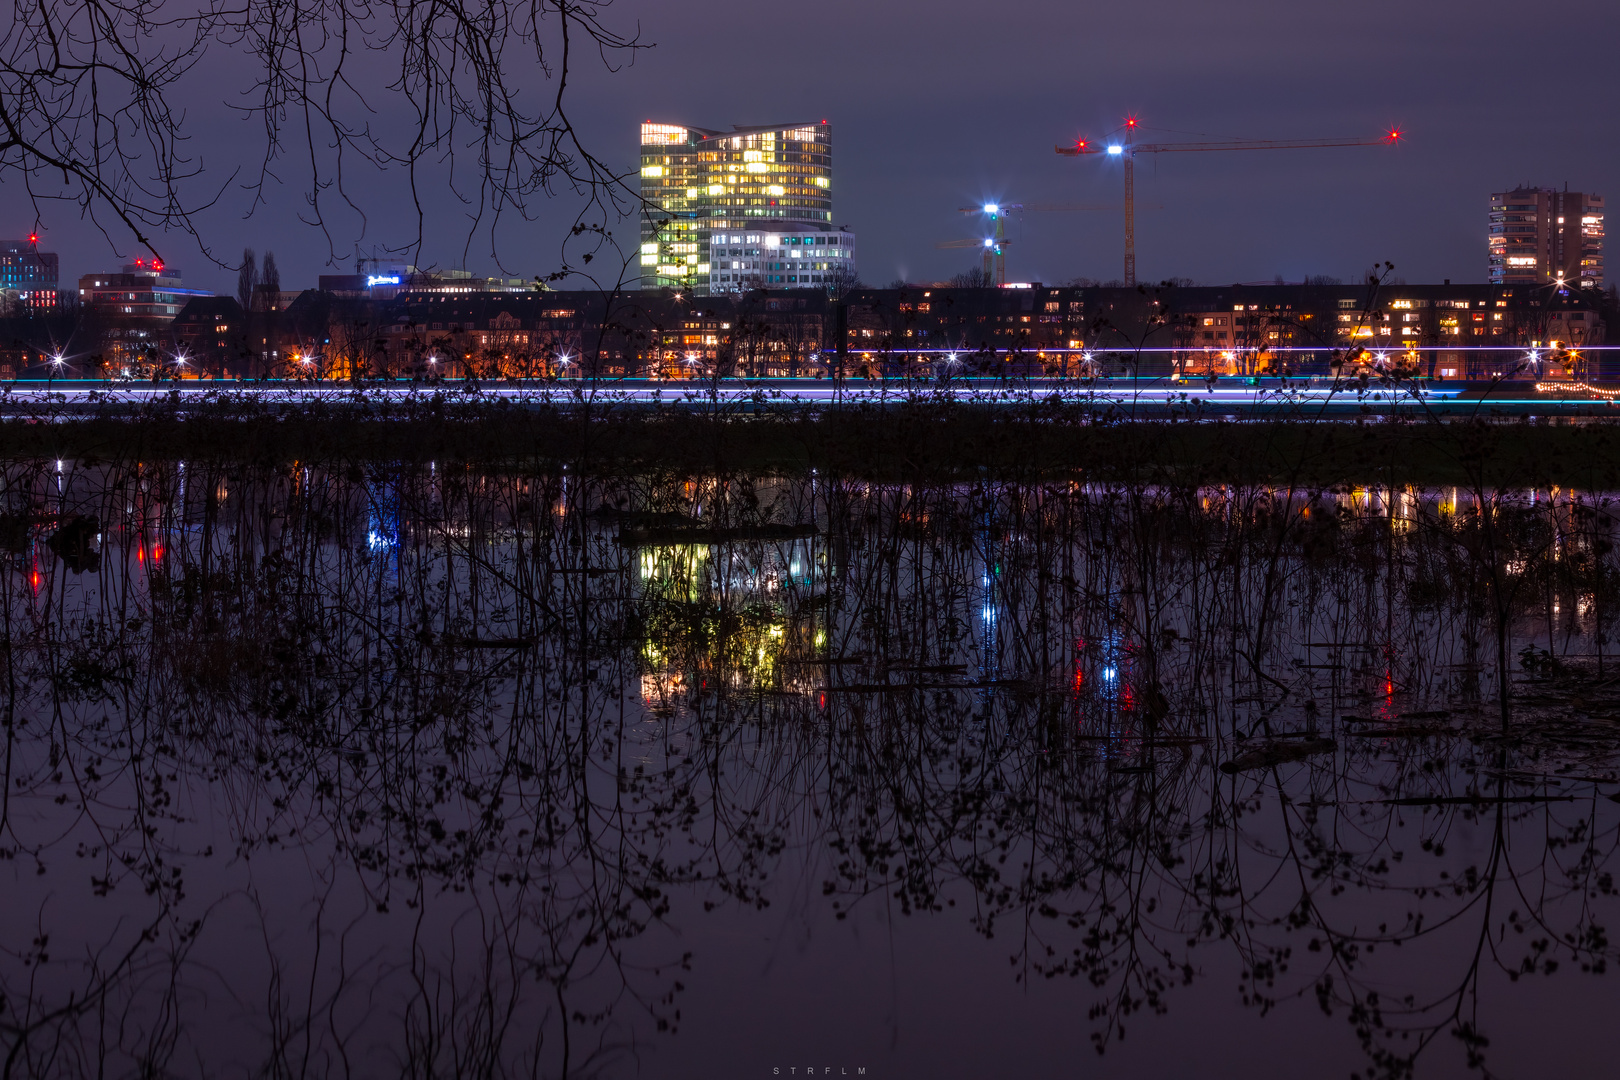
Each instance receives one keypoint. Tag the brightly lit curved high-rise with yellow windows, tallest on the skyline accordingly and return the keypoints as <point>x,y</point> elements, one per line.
<point>751,208</point>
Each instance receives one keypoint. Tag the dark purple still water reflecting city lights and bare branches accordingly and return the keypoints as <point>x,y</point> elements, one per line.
<point>437,773</point>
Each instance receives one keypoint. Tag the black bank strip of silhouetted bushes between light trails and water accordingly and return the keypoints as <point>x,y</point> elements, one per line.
<point>914,443</point>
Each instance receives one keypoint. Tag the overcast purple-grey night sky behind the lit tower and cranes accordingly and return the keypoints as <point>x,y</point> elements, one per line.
<point>945,104</point>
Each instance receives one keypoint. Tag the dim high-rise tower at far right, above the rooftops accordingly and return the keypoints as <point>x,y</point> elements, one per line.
<point>1541,236</point>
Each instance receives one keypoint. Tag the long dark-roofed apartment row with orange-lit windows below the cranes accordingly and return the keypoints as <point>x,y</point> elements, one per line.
<point>1439,331</point>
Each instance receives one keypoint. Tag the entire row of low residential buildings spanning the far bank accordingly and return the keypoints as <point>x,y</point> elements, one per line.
<point>1439,331</point>
